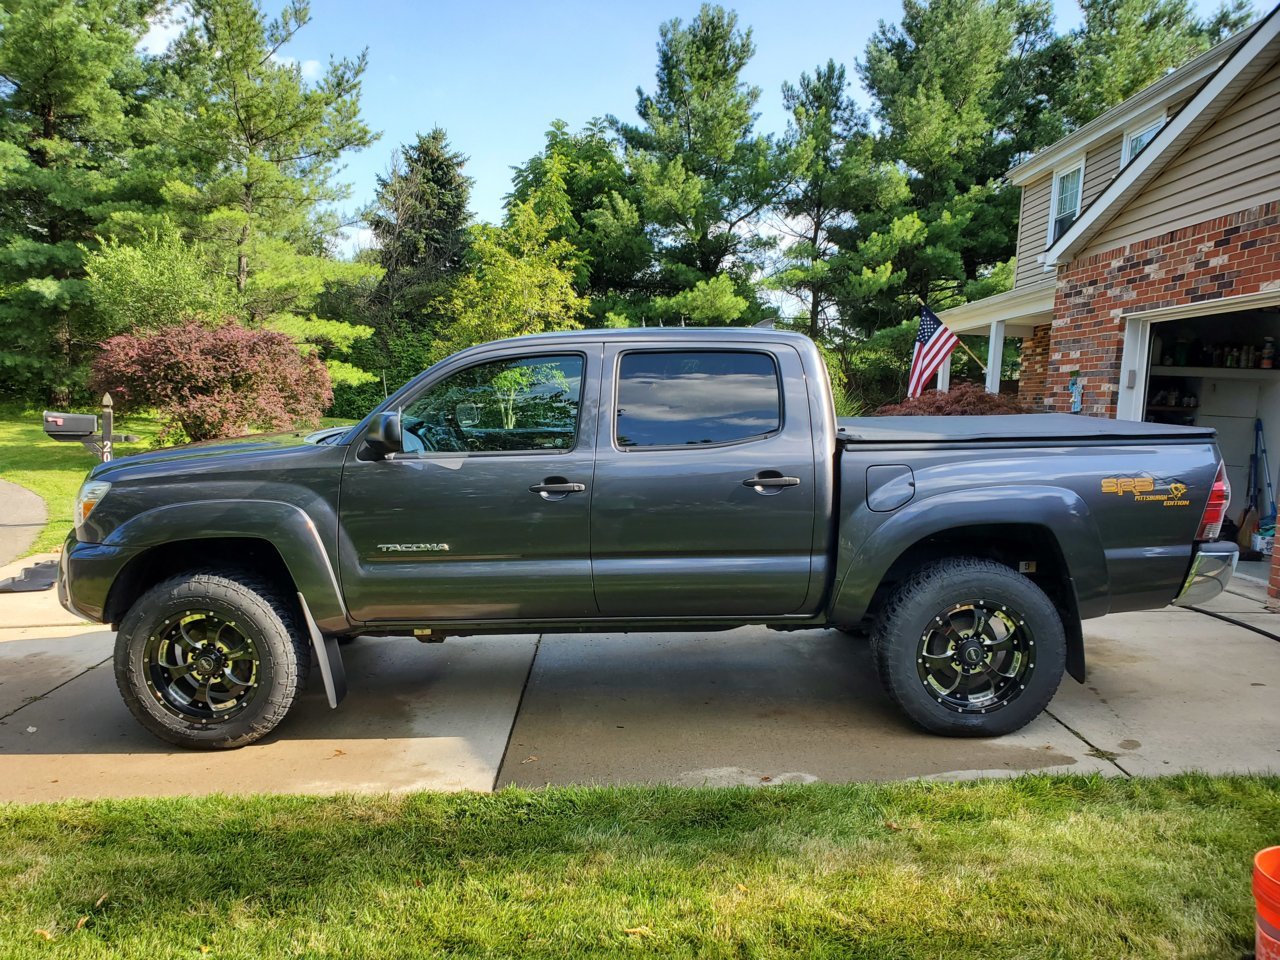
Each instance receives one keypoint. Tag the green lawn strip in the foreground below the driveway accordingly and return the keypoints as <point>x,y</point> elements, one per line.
<point>1036,867</point>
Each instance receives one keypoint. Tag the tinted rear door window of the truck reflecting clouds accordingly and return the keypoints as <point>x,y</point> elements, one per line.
<point>694,397</point>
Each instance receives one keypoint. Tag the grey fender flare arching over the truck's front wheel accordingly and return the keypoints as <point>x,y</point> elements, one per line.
<point>285,527</point>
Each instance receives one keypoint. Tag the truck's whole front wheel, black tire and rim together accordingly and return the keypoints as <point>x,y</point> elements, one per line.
<point>212,661</point>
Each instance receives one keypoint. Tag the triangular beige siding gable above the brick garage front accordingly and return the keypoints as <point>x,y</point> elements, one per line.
<point>1232,166</point>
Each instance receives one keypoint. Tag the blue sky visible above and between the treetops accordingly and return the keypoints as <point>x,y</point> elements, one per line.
<point>496,75</point>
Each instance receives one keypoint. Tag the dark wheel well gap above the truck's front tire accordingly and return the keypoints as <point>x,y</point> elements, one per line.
<point>246,554</point>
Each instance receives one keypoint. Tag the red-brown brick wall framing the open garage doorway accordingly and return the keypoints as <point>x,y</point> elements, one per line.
<point>1223,258</point>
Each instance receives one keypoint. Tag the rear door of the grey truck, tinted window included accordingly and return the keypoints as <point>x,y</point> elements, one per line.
<point>703,504</point>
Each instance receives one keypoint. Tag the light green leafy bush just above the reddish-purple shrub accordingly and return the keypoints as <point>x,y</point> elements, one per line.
<point>154,284</point>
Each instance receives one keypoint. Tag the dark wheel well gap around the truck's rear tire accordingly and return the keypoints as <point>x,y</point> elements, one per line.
<point>1013,546</point>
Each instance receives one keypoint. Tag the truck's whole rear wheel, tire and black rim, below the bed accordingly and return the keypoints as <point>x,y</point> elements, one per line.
<point>970,648</point>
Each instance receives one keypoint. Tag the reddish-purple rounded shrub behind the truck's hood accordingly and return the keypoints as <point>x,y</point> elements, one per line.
<point>211,382</point>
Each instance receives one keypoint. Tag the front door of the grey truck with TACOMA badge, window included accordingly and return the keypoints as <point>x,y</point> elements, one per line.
<point>487,514</point>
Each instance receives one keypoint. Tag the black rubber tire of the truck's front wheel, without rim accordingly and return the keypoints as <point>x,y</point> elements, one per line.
<point>258,606</point>
